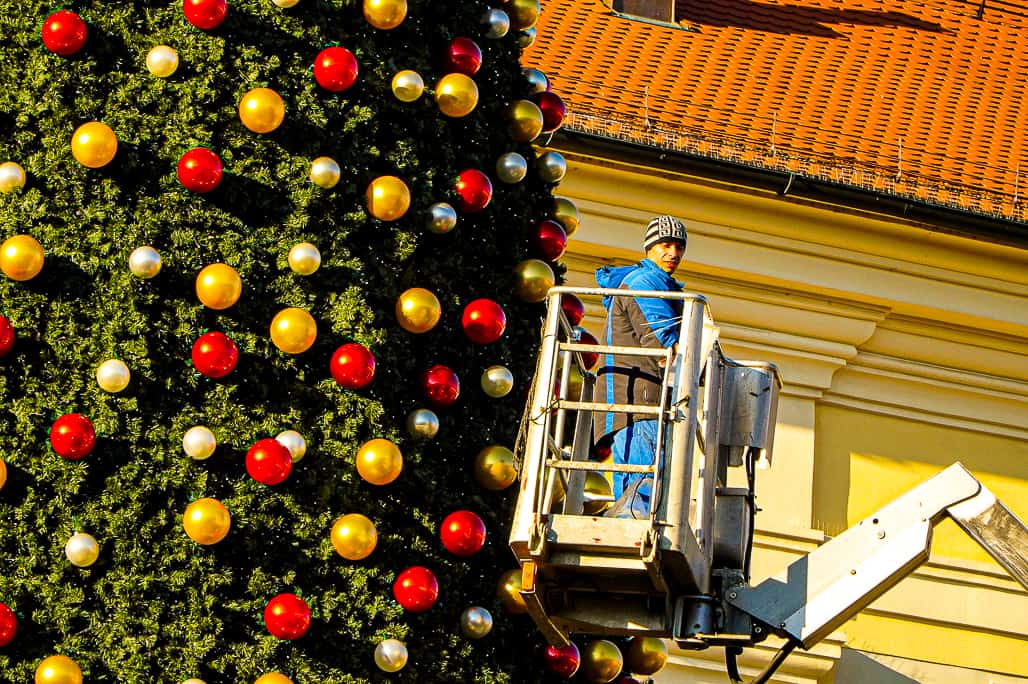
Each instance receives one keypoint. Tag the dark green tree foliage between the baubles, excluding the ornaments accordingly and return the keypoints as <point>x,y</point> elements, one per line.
<point>158,607</point>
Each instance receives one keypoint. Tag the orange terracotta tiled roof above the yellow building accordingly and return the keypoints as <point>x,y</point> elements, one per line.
<point>923,99</point>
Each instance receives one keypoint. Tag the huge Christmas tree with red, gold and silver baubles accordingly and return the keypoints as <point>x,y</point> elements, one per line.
<point>270,306</point>
